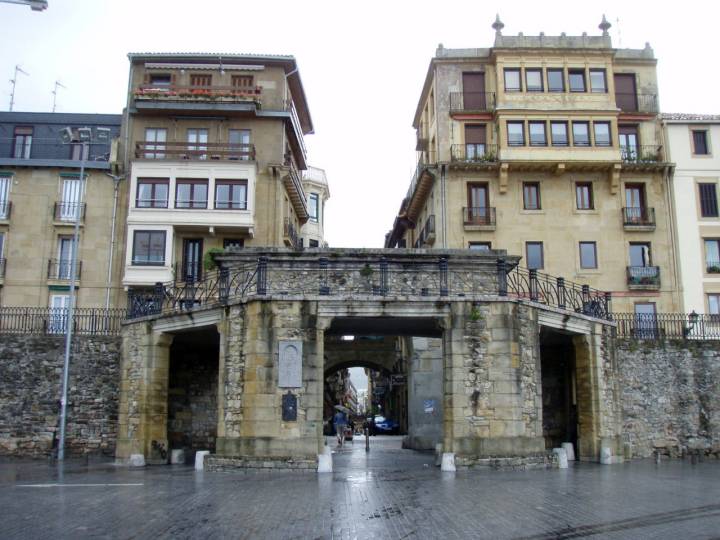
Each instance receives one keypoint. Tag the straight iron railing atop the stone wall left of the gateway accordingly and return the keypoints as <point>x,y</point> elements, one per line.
<point>86,321</point>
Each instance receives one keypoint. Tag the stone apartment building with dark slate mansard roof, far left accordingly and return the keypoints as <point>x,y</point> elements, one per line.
<point>42,197</point>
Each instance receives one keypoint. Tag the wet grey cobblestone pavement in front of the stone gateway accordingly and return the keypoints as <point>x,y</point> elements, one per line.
<point>389,493</point>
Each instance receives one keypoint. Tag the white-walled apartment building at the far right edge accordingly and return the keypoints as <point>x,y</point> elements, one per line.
<point>693,146</point>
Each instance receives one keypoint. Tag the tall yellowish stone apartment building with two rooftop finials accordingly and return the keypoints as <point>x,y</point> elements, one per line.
<point>549,147</point>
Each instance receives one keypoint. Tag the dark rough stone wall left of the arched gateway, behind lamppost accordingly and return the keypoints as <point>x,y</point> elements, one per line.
<point>31,384</point>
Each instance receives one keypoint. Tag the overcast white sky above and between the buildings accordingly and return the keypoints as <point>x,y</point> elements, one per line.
<point>362,65</point>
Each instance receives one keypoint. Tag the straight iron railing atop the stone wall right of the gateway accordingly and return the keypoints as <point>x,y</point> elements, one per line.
<point>667,326</point>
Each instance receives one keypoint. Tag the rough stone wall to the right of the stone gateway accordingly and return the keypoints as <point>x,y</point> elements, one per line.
<point>670,395</point>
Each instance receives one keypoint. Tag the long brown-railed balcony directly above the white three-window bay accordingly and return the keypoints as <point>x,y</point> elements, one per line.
<point>195,152</point>
